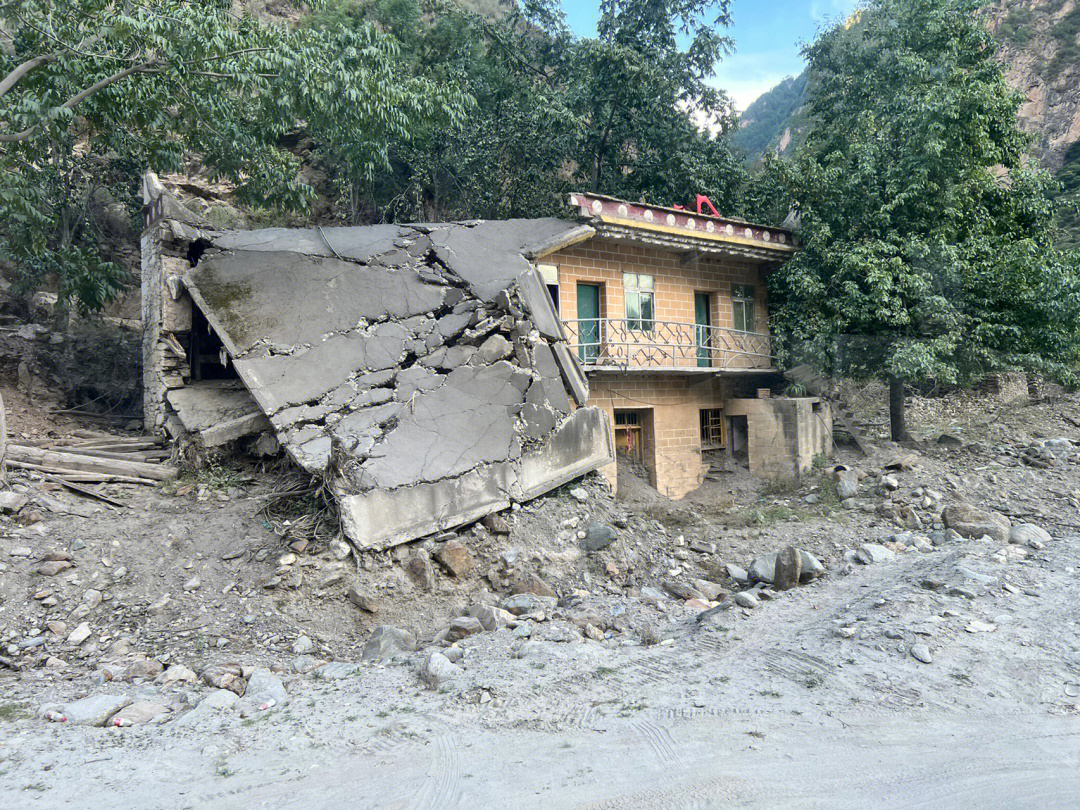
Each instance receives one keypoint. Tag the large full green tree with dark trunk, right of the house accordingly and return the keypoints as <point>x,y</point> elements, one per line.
<point>927,232</point>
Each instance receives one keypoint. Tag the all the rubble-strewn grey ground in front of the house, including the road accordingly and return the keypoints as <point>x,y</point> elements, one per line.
<point>941,679</point>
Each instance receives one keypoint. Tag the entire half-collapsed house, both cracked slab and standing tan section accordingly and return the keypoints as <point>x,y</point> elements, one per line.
<point>435,374</point>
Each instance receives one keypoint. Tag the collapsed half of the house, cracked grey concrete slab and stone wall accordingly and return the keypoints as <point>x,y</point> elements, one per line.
<point>422,370</point>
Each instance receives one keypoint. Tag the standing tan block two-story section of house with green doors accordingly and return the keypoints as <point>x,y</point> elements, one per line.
<point>668,313</point>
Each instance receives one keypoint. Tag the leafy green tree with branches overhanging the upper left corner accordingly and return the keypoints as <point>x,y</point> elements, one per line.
<point>89,87</point>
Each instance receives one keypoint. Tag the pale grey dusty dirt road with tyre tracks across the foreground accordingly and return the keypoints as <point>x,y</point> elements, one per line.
<point>811,700</point>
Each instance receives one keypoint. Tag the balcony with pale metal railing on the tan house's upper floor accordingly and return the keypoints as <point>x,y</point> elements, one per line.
<point>619,344</point>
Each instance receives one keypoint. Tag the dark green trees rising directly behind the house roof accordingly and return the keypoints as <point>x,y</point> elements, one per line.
<point>617,114</point>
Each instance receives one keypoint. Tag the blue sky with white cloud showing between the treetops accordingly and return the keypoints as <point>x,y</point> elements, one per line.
<point>768,36</point>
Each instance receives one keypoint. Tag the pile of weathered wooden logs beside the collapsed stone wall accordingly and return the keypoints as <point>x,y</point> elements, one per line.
<point>89,457</point>
